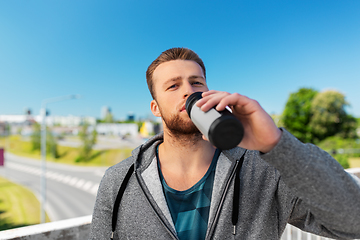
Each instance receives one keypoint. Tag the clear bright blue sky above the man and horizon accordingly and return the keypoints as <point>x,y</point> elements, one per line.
<point>101,50</point>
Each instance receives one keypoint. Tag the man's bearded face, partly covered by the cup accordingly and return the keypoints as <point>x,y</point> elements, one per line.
<point>174,82</point>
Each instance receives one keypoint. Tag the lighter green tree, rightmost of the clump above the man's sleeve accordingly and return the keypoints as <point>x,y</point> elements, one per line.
<point>329,117</point>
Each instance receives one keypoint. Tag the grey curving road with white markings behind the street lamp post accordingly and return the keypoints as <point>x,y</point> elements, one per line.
<point>71,190</point>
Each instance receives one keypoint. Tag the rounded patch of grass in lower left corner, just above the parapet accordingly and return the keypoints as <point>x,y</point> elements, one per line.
<point>18,206</point>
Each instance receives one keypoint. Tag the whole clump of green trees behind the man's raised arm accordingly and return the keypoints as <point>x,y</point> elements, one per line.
<point>312,117</point>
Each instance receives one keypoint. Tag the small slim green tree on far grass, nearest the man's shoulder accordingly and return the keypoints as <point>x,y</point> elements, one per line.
<point>88,141</point>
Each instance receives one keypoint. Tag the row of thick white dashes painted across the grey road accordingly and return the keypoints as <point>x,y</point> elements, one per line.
<point>82,184</point>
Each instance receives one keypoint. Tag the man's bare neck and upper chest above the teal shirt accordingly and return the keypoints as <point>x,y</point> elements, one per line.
<point>184,159</point>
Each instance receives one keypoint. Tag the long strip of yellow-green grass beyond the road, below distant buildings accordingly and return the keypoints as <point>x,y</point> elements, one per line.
<point>68,155</point>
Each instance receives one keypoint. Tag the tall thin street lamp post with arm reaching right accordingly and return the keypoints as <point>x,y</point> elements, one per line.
<point>43,149</point>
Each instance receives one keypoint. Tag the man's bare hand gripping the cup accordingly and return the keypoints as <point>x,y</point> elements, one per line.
<point>260,134</point>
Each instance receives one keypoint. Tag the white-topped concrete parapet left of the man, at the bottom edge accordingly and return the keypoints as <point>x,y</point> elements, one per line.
<point>71,229</point>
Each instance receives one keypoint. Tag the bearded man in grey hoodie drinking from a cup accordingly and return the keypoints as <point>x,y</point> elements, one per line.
<point>182,187</point>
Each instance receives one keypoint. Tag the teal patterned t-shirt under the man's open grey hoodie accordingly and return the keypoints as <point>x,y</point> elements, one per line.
<point>190,208</point>
